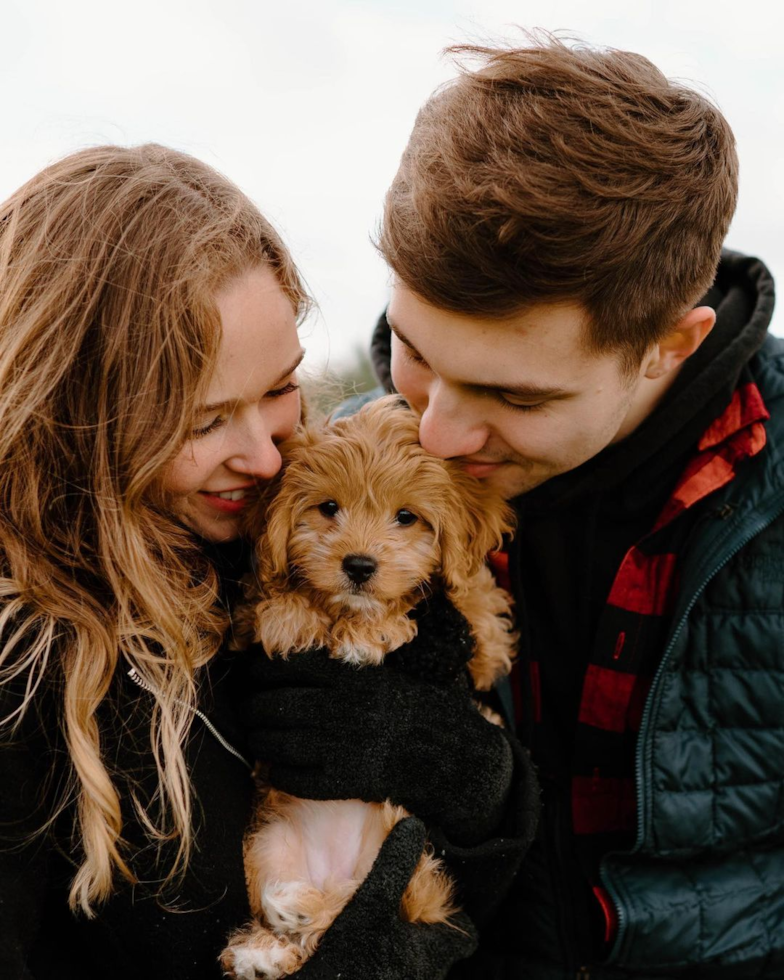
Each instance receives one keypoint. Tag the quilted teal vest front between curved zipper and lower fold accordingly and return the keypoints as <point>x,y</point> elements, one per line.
<point>718,740</point>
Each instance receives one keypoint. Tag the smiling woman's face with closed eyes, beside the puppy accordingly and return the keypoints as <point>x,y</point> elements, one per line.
<point>252,404</point>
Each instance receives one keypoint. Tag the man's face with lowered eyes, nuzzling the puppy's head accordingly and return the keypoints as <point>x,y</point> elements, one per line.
<point>516,401</point>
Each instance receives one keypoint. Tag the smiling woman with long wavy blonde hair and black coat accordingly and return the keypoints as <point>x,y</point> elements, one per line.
<point>148,351</point>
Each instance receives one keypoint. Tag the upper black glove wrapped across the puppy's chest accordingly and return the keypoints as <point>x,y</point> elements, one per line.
<point>406,731</point>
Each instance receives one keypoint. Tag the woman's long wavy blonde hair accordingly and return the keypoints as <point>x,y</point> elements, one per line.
<point>109,264</point>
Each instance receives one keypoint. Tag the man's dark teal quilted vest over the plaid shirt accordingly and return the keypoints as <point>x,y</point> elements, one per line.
<point>702,892</point>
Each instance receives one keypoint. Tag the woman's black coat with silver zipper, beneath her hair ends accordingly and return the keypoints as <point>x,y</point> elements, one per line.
<point>137,932</point>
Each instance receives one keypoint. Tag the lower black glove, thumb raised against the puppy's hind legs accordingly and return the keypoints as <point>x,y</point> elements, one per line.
<point>369,940</point>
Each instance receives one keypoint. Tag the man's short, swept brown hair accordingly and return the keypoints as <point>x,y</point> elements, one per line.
<point>561,172</point>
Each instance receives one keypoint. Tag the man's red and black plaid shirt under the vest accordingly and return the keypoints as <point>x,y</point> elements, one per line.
<point>632,632</point>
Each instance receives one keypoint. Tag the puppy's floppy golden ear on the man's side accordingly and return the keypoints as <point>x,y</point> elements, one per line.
<point>478,520</point>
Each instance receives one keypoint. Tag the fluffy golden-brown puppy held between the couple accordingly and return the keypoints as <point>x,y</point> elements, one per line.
<point>365,523</point>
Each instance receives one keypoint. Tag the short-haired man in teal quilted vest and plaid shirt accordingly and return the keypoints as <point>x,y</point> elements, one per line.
<point>566,326</point>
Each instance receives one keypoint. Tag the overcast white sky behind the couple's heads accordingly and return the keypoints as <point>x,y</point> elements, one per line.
<point>307,104</point>
